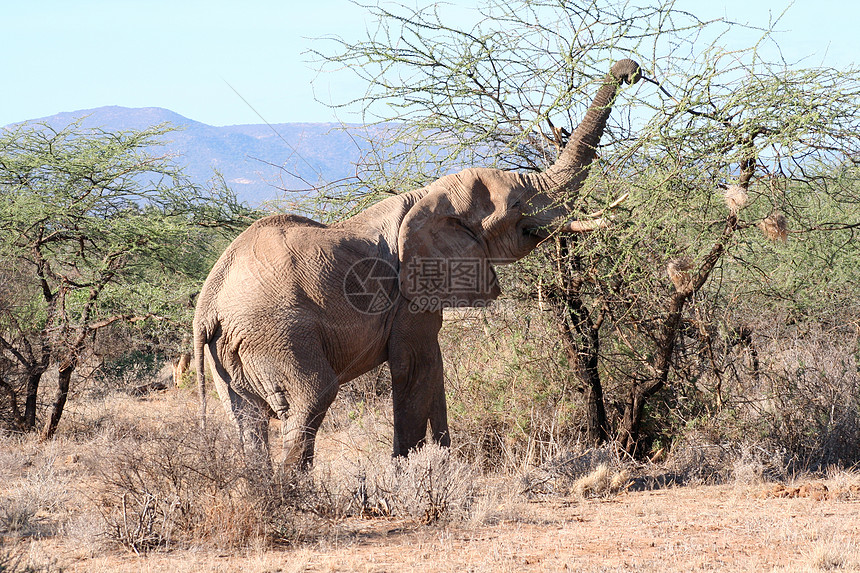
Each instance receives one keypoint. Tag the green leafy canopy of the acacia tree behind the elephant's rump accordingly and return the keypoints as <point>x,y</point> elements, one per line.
<point>99,210</point>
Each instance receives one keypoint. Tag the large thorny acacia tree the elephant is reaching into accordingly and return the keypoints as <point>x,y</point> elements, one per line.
<point>729,145</point>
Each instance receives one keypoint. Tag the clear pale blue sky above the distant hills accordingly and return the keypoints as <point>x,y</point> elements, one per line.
<point>61,55</point>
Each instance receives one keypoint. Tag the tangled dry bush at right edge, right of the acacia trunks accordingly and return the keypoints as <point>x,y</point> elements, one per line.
<point>763,401</point>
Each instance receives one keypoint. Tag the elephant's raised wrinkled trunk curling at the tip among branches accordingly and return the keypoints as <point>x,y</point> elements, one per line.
<point>572,166</point>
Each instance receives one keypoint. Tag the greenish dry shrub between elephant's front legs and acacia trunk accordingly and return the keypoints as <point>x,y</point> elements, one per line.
<point>511,401</point>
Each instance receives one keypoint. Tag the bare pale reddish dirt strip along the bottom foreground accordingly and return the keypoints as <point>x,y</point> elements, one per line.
<point>706,528</point>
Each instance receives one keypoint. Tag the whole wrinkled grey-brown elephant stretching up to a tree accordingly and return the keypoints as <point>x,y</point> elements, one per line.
<point>282,322</point>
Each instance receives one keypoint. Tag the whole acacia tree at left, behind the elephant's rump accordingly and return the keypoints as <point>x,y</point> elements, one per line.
<point>96,229</point>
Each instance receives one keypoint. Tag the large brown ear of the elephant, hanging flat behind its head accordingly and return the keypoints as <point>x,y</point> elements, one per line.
<point>443,259</point>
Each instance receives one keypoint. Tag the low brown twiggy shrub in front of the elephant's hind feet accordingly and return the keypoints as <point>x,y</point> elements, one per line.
<point>181,486</point>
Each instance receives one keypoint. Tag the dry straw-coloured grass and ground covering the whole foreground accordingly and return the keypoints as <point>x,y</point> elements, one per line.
<point>359,511</point>
